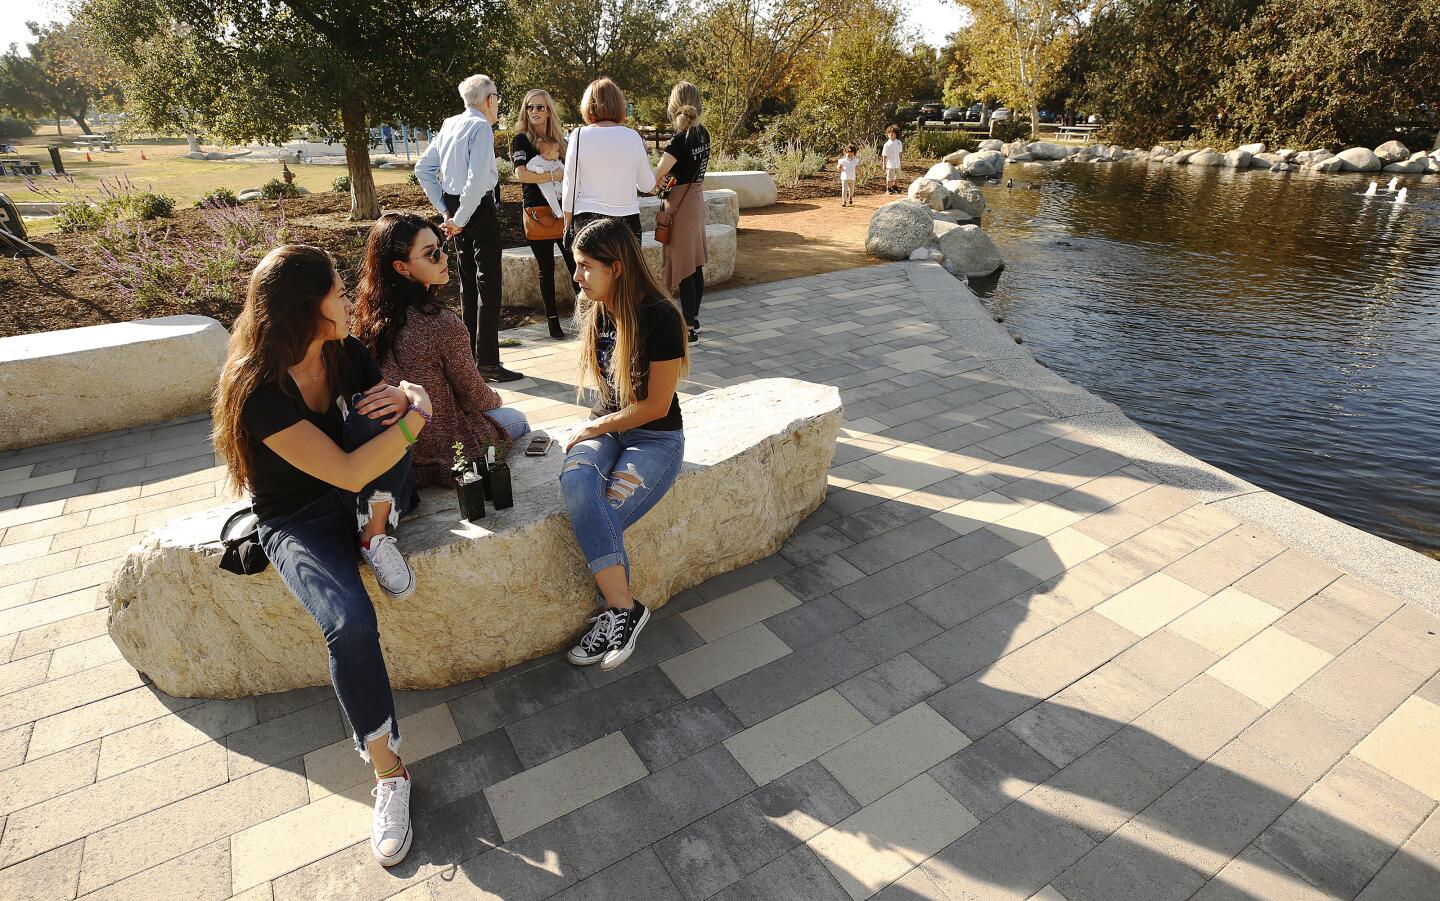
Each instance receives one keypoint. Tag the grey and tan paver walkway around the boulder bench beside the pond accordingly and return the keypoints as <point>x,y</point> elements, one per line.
<point>999,663</point>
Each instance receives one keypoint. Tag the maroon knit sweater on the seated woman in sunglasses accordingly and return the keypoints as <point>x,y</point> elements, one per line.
<point>433,350</point>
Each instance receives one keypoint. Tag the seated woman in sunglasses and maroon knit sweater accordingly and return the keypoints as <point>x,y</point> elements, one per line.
<point>414,338</point>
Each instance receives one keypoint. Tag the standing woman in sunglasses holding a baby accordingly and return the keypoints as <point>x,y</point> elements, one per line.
<point>538,152</point>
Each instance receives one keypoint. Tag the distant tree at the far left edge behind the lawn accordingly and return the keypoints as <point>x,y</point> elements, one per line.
<point>63,76</point>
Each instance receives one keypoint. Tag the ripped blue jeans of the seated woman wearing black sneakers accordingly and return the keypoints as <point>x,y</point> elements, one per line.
<point>611,481</point>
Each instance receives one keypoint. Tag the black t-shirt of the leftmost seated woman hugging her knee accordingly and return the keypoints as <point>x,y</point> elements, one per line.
<point>280,489</point>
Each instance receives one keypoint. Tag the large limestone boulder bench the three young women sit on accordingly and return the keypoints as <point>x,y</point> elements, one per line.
<point>512,588</point>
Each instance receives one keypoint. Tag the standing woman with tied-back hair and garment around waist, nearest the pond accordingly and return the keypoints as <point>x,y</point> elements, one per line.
<point>683,168</point>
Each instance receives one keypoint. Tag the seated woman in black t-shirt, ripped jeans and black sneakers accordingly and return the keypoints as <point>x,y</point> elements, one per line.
<point>627,457</point>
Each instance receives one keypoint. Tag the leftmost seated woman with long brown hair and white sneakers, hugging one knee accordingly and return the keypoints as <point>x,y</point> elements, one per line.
<point>322,444</point>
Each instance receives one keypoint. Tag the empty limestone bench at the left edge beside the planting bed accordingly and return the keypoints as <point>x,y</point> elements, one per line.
<point>60,385</point>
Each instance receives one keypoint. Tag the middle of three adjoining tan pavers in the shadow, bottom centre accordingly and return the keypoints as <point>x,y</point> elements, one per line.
<point>882,759</point>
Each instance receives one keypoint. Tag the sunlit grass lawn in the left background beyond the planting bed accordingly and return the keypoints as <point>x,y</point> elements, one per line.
<point>163,172</point>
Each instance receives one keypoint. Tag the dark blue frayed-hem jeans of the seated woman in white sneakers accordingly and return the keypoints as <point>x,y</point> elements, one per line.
<point>318,553</point>
